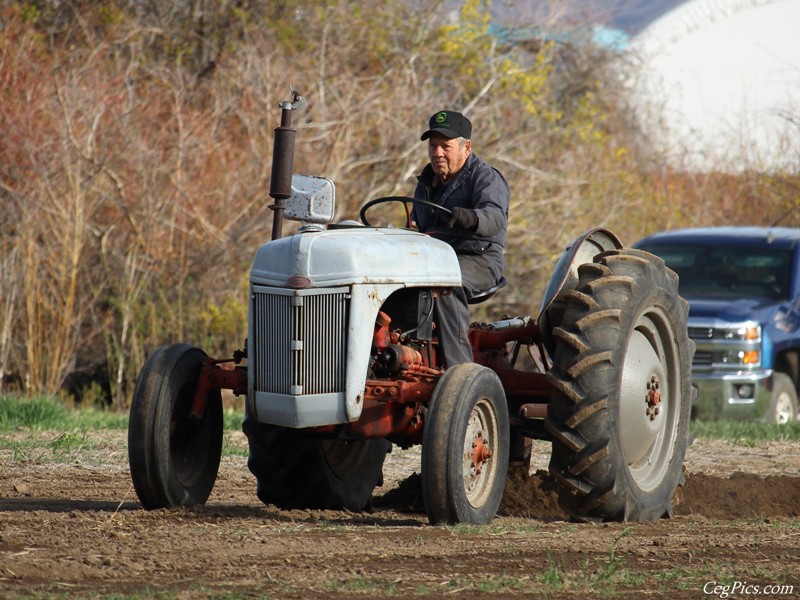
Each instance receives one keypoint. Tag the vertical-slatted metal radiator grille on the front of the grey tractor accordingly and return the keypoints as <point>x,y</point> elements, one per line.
<point>299,340</point>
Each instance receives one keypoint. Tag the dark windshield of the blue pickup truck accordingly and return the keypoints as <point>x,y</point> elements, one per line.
<point>719,271</point>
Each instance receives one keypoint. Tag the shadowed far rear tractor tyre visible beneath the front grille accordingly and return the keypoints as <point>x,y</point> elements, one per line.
<point>296,470</point>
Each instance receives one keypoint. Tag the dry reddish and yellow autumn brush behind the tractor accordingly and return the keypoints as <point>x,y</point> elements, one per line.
<point>136,142</point>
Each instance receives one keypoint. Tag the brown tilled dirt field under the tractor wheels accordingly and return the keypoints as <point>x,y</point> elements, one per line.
<point>74,528</point>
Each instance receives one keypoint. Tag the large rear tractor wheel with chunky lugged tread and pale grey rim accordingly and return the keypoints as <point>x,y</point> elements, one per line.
<point>621,399</point>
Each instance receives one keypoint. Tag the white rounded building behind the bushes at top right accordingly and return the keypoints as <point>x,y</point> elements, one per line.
<point>720,84</point>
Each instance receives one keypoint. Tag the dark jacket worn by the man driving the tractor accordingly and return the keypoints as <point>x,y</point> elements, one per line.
<point>478,186</point>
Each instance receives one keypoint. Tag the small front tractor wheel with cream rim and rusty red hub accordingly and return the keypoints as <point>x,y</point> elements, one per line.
<point>465,447</point>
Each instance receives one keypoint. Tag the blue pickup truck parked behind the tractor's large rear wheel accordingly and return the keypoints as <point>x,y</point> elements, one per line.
<point>743,289</point>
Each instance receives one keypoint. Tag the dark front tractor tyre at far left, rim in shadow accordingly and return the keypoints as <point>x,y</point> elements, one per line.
<point>174,458</point>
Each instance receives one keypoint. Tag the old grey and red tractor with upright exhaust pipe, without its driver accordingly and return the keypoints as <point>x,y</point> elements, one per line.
<point>342,362</point>
